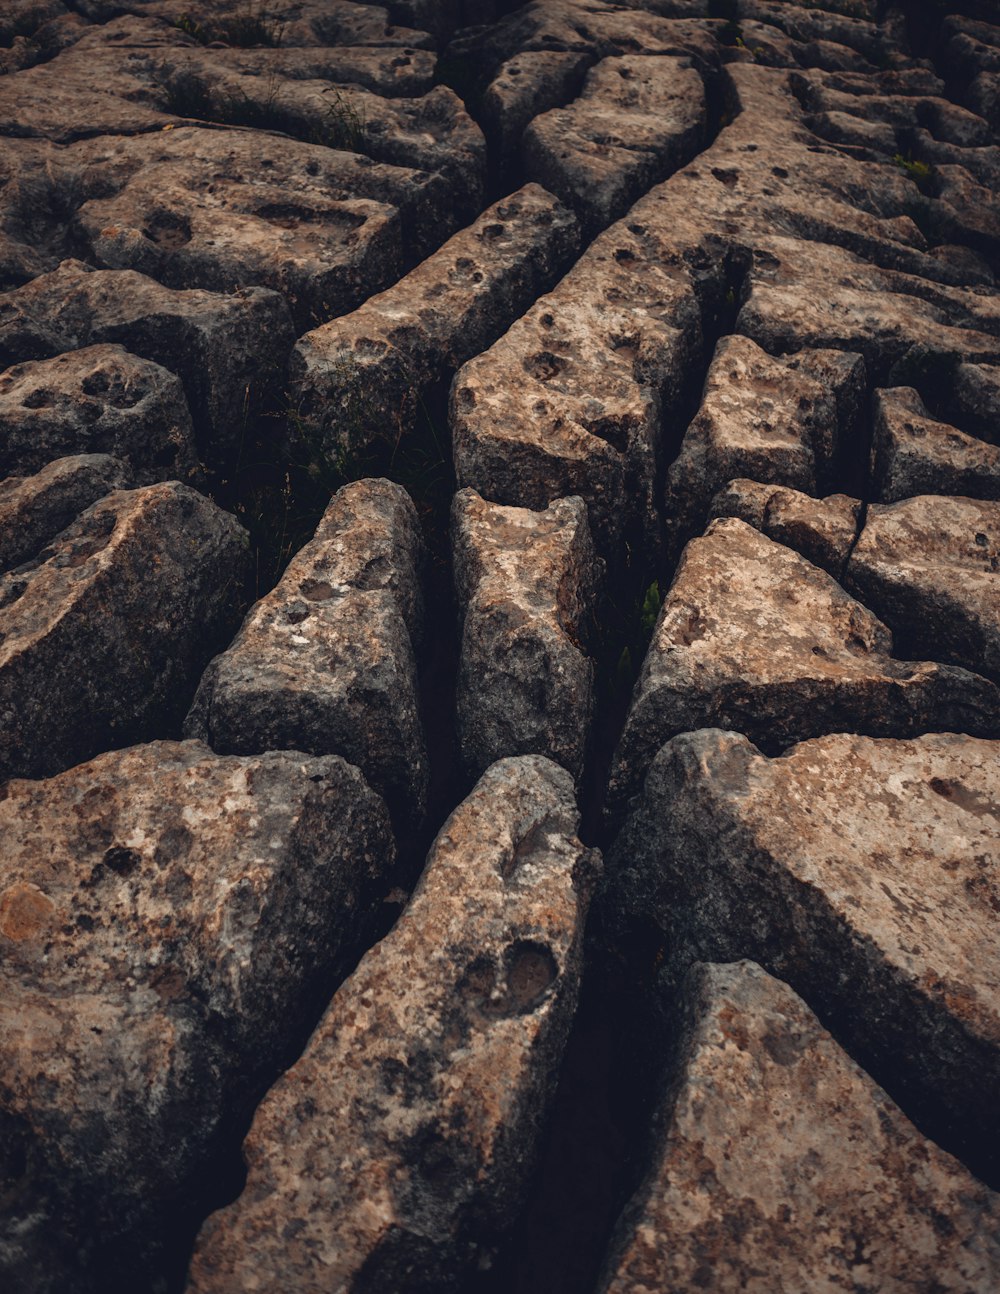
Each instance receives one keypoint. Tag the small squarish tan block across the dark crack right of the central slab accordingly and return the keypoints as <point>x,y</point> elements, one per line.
<point>770,420</point>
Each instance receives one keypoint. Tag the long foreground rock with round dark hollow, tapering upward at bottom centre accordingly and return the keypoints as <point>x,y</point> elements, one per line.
<point>397,1150</point>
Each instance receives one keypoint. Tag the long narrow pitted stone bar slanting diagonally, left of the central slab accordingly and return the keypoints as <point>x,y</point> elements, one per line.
<point>359,380</point>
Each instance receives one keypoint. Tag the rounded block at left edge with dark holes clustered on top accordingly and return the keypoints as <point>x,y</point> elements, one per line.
<point>100,399</point>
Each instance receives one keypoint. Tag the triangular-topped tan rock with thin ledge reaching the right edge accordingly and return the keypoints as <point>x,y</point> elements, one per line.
<point>754,637</point>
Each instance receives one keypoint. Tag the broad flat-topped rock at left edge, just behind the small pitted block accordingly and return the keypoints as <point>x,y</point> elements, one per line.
<point>221,346</point>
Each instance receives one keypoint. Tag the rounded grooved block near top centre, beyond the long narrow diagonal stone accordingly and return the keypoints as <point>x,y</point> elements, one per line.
<point>637,120</point>
